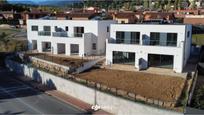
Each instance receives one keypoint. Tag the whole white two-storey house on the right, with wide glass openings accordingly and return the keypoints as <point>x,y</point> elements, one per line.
<point>152,45</point>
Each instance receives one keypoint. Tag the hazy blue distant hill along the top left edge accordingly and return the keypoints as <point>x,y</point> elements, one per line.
<point>44,2</point>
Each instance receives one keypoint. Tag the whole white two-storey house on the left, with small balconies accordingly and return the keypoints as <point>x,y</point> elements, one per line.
<point>69,37</point>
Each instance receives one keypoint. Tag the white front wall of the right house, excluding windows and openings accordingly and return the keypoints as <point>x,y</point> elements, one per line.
<point>142,51</point>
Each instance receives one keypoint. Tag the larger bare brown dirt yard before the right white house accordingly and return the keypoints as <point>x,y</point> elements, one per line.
<point>154,86</point>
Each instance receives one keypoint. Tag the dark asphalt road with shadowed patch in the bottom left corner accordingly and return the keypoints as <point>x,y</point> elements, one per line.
<point>19,98</point>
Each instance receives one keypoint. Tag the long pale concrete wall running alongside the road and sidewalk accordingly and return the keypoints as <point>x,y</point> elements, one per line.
<point>107,102</point>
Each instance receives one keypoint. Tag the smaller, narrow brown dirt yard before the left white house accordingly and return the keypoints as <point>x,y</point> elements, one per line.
<point>66,61</point>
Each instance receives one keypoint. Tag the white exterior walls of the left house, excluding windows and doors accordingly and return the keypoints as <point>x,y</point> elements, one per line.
<point>90,26</point>
